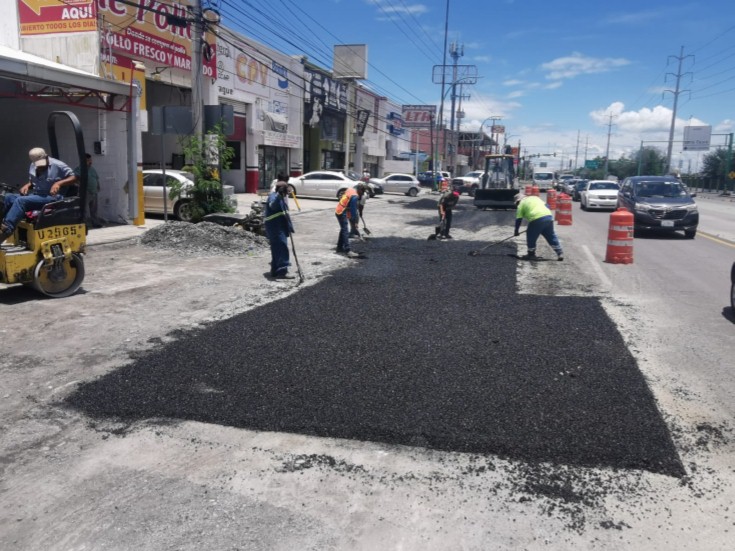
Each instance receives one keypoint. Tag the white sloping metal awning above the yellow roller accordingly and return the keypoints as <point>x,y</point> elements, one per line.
<point>21,66</point>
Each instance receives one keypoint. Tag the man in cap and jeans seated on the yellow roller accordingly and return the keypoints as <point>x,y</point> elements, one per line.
<point>46,178</point>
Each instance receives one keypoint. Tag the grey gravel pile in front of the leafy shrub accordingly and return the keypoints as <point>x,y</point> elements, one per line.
<point>204,238</point>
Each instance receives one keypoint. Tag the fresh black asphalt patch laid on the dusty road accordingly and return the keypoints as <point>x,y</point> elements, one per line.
<point>421,345</point>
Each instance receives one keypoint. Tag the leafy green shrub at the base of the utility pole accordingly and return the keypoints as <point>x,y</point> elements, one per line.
<point>207,156</point>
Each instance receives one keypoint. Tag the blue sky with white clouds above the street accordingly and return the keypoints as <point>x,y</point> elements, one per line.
<point>565,77</point>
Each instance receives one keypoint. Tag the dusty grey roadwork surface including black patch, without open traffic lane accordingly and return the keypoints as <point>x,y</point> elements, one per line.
<point>419,399</point>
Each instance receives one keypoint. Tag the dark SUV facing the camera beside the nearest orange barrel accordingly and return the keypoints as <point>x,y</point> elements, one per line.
<point>660,203</point>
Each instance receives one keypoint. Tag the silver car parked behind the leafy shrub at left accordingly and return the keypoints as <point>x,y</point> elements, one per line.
<point>153,193</point>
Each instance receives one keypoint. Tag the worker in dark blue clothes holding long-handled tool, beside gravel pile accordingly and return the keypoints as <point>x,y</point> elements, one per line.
<point>278,228</point>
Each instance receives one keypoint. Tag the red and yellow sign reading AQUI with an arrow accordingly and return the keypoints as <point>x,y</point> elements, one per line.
<point>56,16</point>
